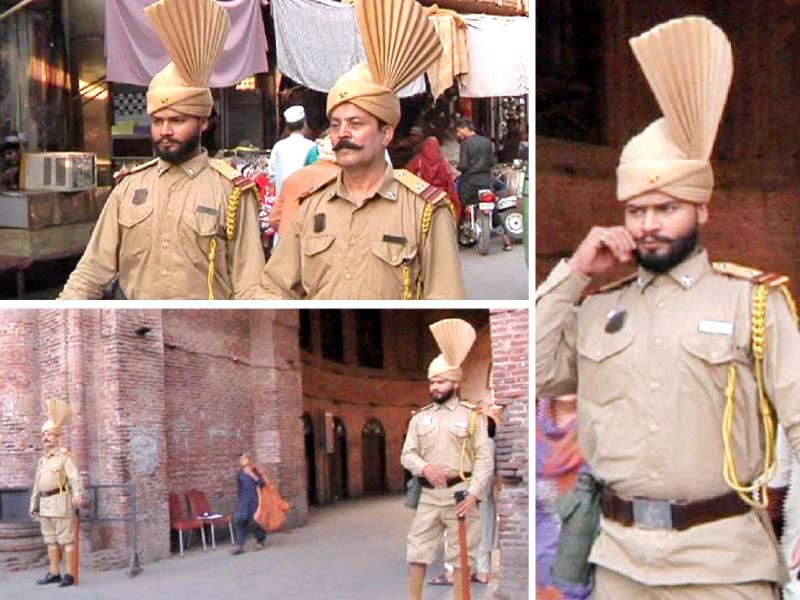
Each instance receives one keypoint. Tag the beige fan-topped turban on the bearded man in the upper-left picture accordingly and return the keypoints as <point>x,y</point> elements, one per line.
<point>194,32</point>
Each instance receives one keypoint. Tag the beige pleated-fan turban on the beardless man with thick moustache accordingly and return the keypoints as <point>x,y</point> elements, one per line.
<point>400,43</point>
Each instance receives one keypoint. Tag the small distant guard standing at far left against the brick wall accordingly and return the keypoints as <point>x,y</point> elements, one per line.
<point>57,491</point>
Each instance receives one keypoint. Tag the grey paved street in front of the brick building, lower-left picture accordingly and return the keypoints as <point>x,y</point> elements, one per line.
<point>352,551</point>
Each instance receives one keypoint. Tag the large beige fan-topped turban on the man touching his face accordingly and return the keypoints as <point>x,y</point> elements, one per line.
<point>689,65</point>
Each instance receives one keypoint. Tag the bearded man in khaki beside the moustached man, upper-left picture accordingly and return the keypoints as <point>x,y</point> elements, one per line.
<point>181,226</point>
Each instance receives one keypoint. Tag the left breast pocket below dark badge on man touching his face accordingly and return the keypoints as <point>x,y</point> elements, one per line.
<point>604,366</point>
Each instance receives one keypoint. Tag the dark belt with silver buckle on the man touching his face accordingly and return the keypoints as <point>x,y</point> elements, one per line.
<point>668,514</point>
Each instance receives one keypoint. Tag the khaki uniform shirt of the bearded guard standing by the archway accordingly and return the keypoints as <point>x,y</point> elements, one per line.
<point>436,435</point>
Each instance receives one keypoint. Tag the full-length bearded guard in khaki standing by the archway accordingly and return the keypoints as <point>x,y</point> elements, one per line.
<point>448,446</point>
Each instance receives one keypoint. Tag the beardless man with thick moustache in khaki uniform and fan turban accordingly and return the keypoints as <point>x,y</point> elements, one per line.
<point>372,232</point>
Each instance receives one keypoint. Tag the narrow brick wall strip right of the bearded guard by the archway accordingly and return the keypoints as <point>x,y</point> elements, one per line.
<point>510,360</point>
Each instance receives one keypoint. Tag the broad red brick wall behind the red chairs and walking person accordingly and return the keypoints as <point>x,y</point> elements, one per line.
<point>163,399</point>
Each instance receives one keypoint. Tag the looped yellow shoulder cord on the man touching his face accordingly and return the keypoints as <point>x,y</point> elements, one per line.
<point>755,493</point>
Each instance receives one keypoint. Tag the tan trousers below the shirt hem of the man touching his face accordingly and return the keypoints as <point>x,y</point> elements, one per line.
<point>609,585</point>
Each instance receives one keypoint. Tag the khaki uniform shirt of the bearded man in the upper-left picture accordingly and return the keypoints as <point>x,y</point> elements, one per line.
<point>156,230</point>
